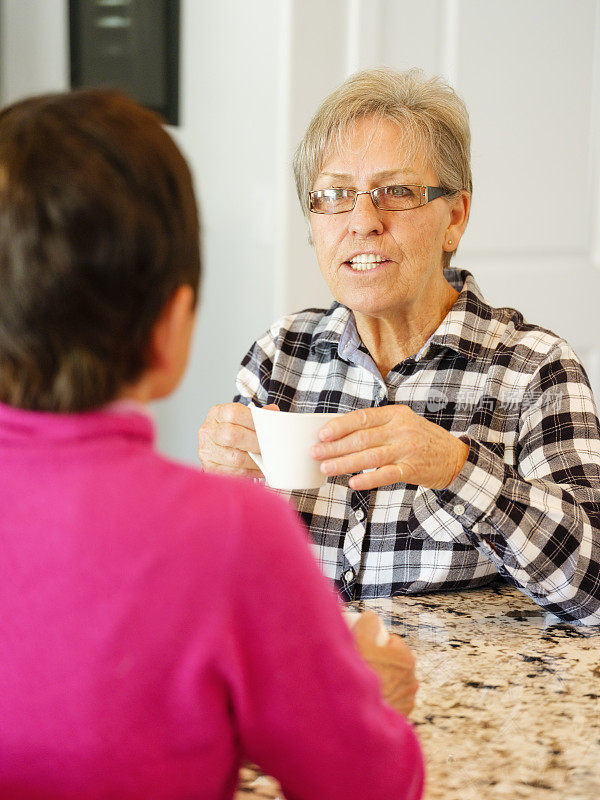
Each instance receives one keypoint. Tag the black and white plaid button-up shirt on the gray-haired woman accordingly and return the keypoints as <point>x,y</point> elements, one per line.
<point>527,502</point>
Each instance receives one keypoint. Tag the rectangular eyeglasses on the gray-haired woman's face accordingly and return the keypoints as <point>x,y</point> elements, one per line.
<point>386,198</point>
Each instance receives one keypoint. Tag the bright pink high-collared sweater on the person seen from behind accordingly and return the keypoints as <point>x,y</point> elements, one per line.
<point>159,625</point>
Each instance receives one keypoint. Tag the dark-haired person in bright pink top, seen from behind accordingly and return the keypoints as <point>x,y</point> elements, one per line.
<point>150,631</point>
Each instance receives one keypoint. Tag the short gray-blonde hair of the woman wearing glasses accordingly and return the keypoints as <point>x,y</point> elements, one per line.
<point>433,119</point>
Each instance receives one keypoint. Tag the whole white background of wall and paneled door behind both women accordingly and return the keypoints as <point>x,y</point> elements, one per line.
<point>253,72</point>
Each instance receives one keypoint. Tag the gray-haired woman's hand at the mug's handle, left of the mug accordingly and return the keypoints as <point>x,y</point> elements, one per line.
<point>226,437</point>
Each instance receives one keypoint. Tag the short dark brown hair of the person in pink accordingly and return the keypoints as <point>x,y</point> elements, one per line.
<point>98,227</point>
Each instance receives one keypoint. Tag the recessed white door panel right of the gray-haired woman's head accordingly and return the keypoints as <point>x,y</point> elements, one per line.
<point>525,69</point>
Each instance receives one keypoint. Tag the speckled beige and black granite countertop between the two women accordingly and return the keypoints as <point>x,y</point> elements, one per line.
<point>509,698</point>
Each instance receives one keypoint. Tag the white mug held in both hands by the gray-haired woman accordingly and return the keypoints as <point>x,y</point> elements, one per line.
<point>286,439</point>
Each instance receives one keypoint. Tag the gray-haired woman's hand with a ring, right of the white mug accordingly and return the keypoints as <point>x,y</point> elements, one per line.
<point>401,446</point>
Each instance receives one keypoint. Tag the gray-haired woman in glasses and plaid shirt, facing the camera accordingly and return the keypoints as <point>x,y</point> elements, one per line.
<point>471,446</point>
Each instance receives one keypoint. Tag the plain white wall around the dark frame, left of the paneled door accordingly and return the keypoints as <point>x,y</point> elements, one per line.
<point>230,86</point>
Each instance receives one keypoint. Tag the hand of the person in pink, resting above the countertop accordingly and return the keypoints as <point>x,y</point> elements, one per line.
<point>393,663</point>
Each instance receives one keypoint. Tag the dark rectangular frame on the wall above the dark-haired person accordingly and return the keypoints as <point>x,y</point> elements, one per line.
<point>132,45</point>
